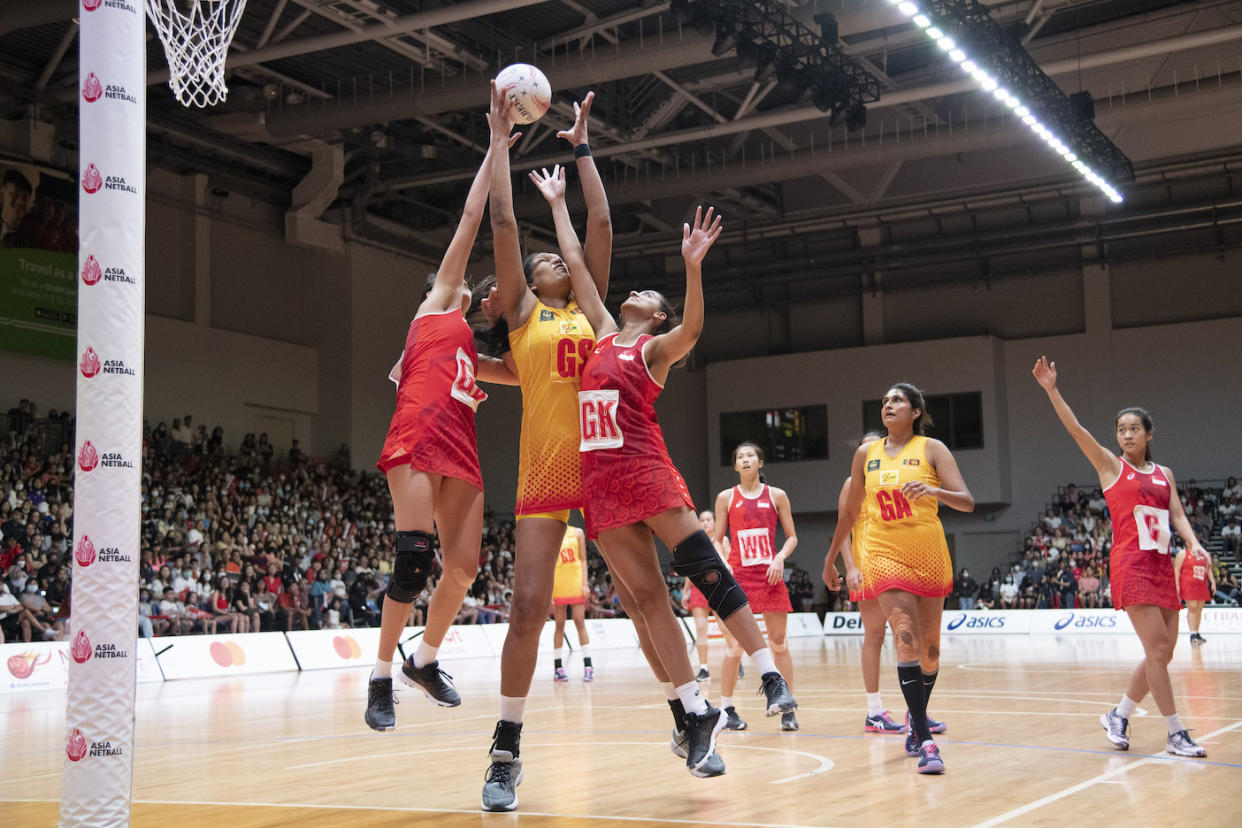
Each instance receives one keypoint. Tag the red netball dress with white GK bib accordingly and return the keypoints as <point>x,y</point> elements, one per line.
<point>628,475</point>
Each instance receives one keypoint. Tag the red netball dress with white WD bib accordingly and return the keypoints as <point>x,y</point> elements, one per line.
<point>753,538</point>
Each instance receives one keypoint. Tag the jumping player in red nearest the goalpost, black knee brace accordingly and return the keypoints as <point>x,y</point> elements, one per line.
<point>432,462</point>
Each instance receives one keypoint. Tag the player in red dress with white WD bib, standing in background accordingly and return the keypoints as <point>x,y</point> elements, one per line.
<point>751,513</point>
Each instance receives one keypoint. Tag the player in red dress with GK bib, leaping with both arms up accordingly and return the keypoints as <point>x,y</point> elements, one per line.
<point>630,485</point>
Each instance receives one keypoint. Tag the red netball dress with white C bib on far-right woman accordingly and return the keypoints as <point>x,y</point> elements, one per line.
<point>1141,569</point>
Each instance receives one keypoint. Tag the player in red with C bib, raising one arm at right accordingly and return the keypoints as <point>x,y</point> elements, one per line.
<point>1143,503</point>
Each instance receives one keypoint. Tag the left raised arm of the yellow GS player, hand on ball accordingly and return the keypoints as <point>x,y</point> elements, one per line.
<point>516,299</point>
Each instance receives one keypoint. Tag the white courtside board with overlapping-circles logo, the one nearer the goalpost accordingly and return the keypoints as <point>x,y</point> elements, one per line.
<point>192,657</point>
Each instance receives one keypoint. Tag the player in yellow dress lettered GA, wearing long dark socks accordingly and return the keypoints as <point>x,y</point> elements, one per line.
<point>902,480</point>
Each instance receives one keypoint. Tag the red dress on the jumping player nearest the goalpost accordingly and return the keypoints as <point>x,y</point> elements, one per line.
<point>433,429</point>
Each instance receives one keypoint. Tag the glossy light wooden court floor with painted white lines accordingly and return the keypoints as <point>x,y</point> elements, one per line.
<point>1024,748</point>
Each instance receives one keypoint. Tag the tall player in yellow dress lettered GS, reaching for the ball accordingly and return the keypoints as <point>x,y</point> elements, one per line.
<point>551,341</point>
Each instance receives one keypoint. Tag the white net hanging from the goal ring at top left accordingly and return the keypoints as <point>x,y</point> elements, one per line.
<point>197,35</point>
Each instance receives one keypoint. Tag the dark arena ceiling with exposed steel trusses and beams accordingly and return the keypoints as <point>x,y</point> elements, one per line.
<point>674,122</point>
